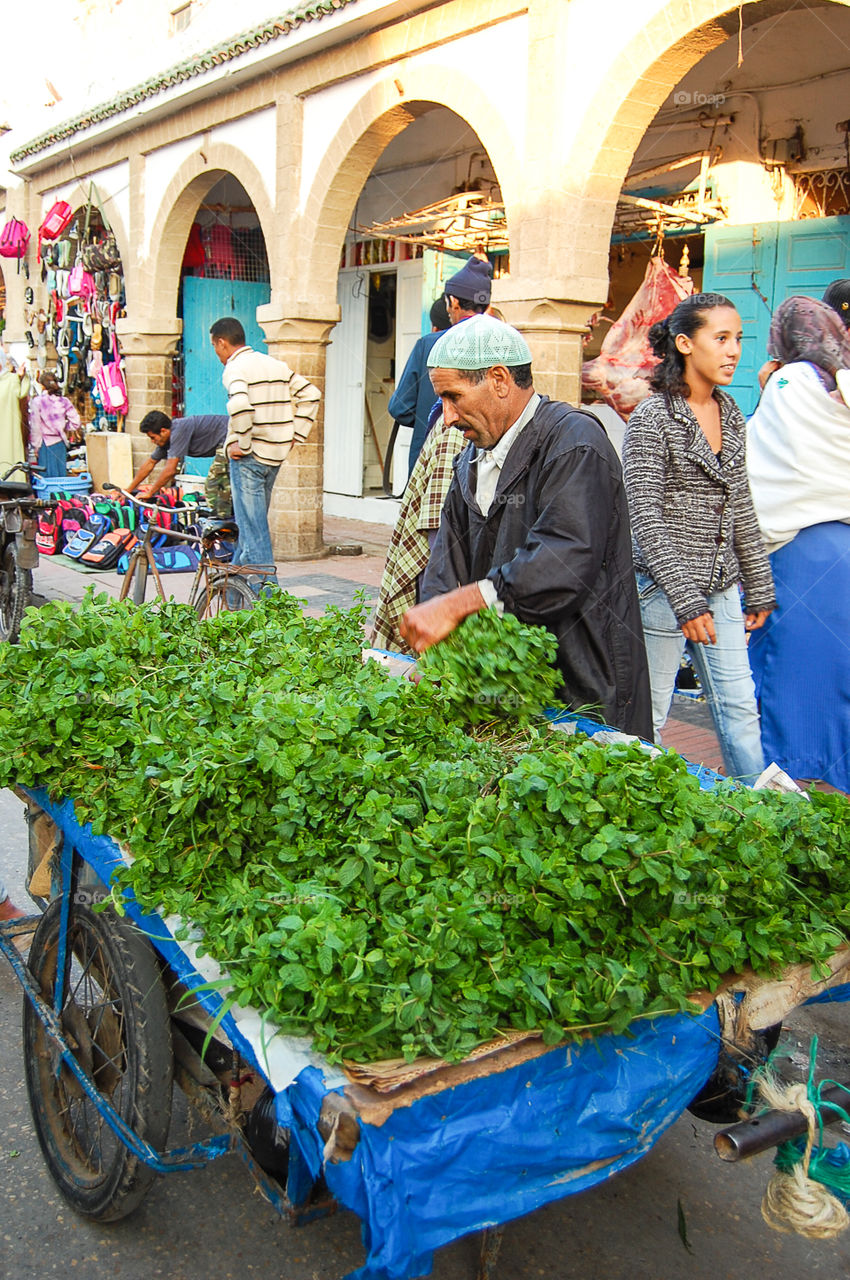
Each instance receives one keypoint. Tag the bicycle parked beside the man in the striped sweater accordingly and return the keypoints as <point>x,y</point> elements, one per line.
<point>218,587</point>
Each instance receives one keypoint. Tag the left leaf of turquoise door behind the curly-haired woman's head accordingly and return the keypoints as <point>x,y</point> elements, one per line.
<point>741,263</point>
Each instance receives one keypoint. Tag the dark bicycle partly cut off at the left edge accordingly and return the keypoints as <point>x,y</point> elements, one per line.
<point>19,552</point>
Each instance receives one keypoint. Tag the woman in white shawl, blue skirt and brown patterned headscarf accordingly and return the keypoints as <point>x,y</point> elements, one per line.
<point>798,459</point>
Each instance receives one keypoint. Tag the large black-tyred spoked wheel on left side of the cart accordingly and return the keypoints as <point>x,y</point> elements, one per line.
<point>116,1020</point>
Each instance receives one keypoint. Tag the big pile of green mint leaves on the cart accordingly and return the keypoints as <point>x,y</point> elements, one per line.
<point>401,870</point>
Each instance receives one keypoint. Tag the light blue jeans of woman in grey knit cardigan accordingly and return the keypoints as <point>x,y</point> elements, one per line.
<point>724,673</point>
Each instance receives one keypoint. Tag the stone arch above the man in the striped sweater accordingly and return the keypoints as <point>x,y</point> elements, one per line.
<point>177,211</point>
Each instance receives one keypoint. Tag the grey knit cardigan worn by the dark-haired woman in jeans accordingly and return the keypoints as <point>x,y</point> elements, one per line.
<point>694,529</point>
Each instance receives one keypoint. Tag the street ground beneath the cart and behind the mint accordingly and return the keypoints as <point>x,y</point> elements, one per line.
<point>213,1226</point>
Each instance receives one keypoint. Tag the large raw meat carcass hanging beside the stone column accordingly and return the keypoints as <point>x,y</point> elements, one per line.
<point>620,373</point>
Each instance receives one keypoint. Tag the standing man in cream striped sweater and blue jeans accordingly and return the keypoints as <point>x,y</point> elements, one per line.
<point>271,409</point>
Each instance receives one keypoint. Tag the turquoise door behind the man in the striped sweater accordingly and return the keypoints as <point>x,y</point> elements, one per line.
<point>205,303</point>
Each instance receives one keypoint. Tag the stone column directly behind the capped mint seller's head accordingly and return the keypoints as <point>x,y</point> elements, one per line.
<point>555,331</point>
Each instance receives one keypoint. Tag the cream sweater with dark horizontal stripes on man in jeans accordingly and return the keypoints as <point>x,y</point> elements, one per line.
<point>271,409</point>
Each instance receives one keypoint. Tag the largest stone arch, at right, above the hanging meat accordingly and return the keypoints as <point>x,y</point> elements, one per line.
<point>673,42</point>
